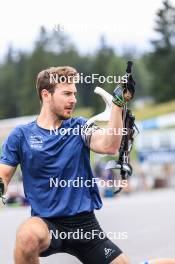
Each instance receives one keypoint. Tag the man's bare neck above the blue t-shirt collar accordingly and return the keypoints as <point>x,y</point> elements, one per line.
<point>48,120</point>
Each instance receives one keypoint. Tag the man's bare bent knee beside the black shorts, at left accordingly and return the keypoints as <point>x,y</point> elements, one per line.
<point>32,236</point>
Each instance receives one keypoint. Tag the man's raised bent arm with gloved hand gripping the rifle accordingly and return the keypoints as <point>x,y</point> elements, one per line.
<point>107,141</point>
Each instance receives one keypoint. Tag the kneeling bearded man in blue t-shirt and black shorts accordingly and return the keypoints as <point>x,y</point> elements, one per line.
<point>47,157</point>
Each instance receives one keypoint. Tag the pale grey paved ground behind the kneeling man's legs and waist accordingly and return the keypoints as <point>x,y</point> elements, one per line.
<point>148,219</point>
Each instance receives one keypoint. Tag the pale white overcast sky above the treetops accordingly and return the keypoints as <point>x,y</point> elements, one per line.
<point>124,23</point>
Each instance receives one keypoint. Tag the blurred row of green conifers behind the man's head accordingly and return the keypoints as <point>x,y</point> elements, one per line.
<point>19,70</point>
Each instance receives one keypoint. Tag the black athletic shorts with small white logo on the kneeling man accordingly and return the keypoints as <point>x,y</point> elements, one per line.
<point>82,237</point>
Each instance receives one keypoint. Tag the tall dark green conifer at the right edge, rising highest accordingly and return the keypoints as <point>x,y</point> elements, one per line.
<point>161,61</point>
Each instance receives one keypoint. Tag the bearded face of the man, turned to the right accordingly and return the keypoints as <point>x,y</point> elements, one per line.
<point>62,102</point>
